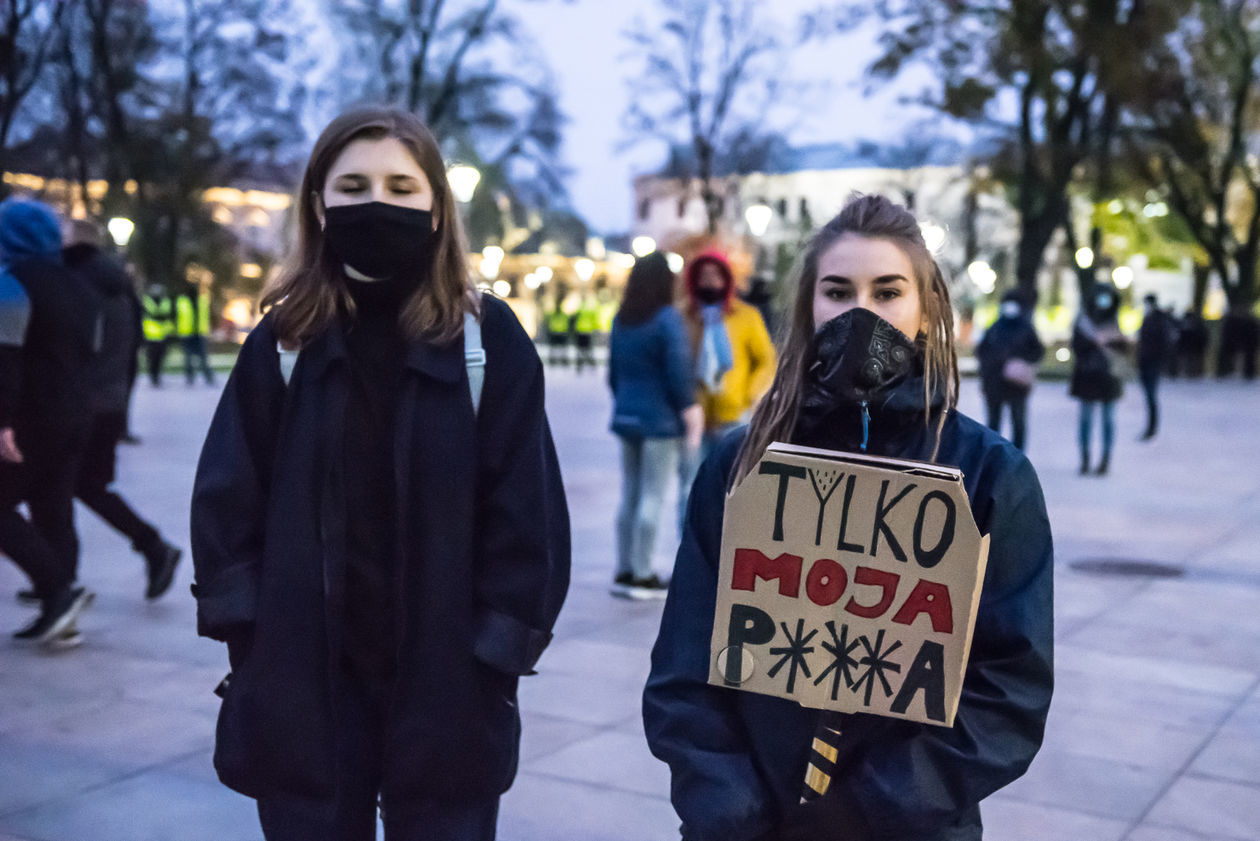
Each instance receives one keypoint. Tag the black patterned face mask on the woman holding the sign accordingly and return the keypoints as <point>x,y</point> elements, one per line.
<point>857,357</point>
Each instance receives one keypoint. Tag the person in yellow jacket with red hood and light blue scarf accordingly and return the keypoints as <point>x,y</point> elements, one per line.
<point>734,356</point>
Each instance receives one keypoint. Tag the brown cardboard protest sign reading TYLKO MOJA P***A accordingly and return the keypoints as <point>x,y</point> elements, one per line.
<point>849,583</point>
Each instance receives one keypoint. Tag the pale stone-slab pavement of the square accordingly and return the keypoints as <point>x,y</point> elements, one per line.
<point>1155,732</point>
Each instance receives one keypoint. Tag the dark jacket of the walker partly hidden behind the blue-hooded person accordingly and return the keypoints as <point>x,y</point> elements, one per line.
<point>114,366</point>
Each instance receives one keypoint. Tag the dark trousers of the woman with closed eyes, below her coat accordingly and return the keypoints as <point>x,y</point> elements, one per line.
<point>352,815</point>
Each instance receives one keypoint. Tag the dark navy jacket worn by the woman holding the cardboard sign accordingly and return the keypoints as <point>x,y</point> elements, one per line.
<point>739,760</point>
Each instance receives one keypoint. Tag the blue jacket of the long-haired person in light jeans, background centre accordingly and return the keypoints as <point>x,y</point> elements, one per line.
<point>651,375</point>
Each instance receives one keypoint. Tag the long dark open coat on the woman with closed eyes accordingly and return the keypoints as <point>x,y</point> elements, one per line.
<point>483,559</point>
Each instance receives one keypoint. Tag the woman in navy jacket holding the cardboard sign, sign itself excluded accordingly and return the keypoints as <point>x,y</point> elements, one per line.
<point>869,365</point>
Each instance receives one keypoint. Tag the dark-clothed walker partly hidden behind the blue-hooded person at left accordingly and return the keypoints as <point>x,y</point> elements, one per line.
<point>112,378</point>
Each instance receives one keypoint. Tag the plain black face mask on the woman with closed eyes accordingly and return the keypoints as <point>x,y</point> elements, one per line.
<point>381,240</point>
